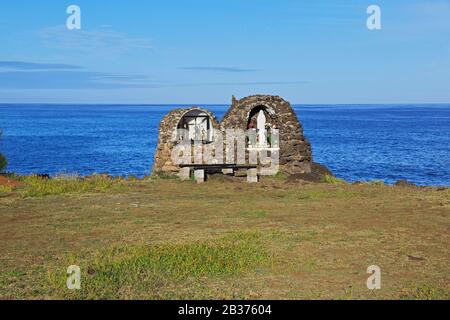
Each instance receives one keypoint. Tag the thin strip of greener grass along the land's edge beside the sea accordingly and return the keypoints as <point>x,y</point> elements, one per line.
<point>43,185</point>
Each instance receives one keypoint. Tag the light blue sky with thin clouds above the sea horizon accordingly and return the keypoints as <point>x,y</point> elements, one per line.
<point>311,51</point>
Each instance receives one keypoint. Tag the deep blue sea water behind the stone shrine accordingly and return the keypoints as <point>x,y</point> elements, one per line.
<point>357,142</point>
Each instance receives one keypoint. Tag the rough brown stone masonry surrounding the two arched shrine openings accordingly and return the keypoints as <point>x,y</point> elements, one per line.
<point>295,149</point>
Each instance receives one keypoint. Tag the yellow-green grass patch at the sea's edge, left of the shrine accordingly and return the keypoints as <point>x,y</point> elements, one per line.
<point>35,186</point>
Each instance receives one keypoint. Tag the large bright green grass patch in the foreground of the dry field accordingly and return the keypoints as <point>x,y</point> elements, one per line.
<point>145,269</point>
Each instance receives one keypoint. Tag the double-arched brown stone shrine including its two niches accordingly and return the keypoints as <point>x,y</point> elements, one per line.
<point>250,113</point>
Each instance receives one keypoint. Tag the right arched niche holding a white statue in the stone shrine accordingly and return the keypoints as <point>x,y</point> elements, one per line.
<point>260,127</point>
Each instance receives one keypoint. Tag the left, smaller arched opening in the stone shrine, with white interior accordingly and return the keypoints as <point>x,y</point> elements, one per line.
<point>196,125</point>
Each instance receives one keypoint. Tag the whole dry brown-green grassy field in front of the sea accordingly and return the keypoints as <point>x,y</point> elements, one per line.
<point>166,239</point>
